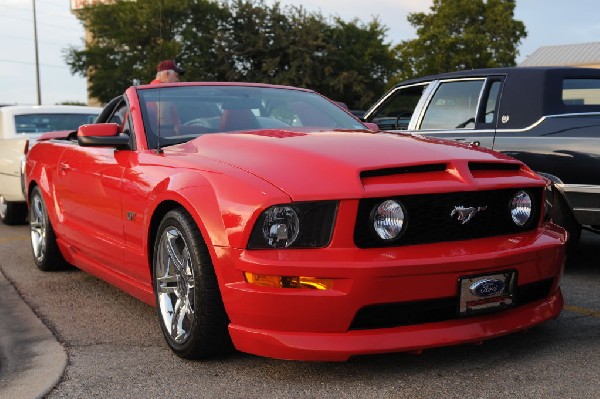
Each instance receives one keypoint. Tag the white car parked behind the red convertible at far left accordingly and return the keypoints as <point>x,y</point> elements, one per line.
<point>20,126</point>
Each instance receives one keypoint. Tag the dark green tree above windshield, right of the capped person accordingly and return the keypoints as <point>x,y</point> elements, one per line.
<point>347,61</point>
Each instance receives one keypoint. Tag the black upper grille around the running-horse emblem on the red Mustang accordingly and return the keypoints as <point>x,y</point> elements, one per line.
<point>428,217</point>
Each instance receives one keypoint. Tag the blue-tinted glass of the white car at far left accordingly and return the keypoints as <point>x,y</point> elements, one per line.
<point>40,123</point>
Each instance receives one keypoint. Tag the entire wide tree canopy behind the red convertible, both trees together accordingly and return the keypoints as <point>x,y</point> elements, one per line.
<point>236,40</point>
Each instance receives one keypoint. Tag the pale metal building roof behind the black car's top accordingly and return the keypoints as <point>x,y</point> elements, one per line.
<point>567,54</point>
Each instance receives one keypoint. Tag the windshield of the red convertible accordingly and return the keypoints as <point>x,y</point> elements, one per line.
<point>179,114</point>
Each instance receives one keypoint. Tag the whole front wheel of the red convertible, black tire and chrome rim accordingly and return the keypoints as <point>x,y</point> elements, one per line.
<point>191,311</point>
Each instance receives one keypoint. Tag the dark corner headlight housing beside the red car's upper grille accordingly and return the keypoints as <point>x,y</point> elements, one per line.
<point>296,225</point>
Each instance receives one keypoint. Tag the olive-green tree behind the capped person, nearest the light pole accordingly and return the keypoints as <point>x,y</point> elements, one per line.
<point>129,38</point>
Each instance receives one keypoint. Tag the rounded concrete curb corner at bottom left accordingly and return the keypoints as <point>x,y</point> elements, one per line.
<point>32,361</point>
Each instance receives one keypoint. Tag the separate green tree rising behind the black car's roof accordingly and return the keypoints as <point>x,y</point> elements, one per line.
<point>459,35</point>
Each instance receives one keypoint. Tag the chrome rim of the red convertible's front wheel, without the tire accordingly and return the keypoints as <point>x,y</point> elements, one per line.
<point>175,285</point>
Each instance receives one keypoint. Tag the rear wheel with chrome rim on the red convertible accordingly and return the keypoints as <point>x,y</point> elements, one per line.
<point>46,253</point>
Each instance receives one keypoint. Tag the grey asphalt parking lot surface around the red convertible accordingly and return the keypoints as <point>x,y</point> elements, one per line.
<point>33,362</point>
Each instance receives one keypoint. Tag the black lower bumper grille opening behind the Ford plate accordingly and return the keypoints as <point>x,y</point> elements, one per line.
<point>434,310</point>
